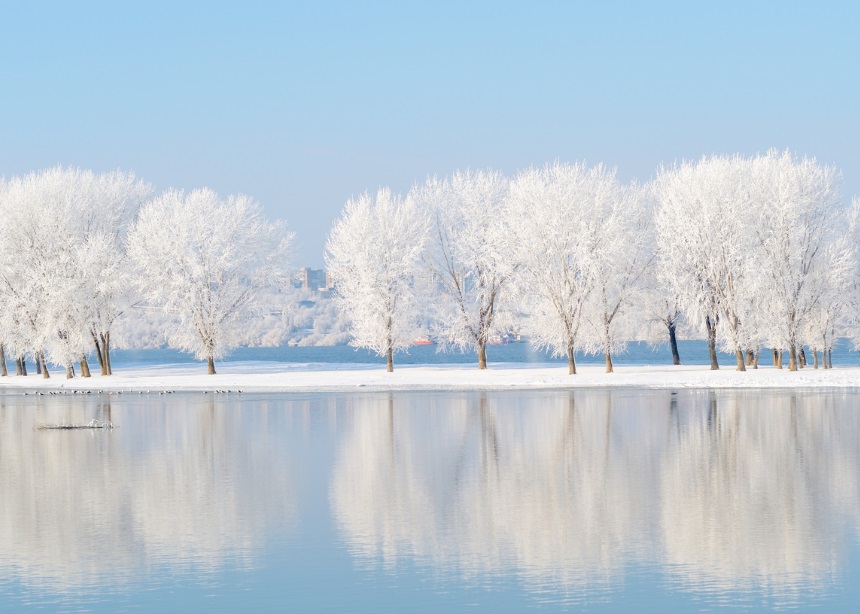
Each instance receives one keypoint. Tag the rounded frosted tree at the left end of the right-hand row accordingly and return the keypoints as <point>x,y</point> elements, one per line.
<point>373,254</point>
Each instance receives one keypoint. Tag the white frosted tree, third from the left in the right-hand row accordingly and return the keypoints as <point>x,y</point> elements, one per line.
<point>556,213</point>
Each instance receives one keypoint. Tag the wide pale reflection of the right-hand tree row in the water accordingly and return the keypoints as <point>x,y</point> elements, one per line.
<point>718,492</point>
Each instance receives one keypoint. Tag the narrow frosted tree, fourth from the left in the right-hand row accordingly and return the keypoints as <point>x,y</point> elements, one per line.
<point>617,265</point>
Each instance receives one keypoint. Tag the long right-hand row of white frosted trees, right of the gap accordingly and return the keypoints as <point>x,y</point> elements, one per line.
<point>749,252</point>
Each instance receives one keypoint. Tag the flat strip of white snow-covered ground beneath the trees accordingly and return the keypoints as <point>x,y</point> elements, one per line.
<point>281,377</point>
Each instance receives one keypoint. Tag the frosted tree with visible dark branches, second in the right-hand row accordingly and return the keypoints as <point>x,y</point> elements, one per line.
<point>468,255</point>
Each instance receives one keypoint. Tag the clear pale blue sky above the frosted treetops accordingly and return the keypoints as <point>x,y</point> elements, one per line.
<point>302,105</point>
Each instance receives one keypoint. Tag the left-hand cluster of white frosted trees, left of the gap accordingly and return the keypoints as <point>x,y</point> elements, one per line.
<point>79,250</point>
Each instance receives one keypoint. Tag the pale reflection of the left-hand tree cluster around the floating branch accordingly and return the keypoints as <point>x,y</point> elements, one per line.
<point>180,485</point>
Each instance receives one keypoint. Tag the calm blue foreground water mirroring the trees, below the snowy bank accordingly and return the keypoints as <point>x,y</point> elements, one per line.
<point>594,500</point>
